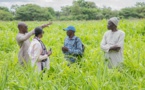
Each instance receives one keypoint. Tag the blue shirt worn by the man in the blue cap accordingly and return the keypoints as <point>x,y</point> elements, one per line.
<point>74,48</point>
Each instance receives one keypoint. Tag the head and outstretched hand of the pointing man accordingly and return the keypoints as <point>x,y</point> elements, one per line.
<point>23,28</point>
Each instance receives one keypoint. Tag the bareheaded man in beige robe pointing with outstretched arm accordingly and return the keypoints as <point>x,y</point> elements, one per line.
<point>23,41</point>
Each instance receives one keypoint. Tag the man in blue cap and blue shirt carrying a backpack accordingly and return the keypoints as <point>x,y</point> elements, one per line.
<point>73,47</point>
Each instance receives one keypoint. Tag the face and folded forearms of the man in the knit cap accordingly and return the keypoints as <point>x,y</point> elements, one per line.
<point>113,27</point>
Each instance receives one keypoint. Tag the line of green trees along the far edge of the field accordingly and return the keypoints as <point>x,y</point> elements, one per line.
<point>80,10</point>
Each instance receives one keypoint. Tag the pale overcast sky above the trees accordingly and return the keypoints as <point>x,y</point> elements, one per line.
<point>57,4</point>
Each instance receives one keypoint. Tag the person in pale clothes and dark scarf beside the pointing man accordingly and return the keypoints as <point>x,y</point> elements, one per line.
<point>38,53</point>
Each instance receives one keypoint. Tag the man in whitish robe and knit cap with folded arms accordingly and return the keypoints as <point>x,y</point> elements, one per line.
<point>112,43</point>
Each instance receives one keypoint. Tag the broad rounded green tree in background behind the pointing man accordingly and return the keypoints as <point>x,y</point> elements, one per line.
<point>32,12</point>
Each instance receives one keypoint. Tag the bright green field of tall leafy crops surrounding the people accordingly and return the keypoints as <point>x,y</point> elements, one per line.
<point>93,74</point>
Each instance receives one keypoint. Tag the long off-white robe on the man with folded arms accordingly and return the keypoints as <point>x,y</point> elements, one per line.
<point>111,39</point>
